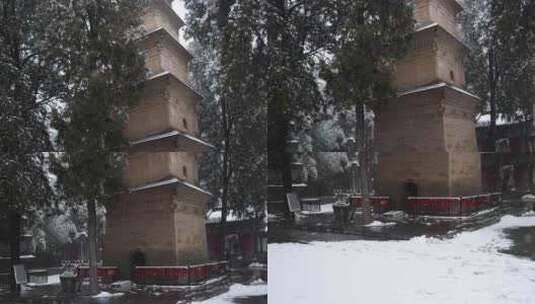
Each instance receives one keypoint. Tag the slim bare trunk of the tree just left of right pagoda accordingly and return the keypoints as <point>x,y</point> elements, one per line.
<point>362,137</point>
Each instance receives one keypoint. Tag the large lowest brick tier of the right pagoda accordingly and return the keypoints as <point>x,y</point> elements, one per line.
<point>429,139</point>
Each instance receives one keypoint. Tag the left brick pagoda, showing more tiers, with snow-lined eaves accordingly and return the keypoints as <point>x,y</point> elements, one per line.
<point>160,220</point>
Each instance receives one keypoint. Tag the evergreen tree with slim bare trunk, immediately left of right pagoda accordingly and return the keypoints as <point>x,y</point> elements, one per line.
<point>371,35</point>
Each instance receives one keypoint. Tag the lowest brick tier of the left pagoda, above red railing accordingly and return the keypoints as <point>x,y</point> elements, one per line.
<point>159,224</point>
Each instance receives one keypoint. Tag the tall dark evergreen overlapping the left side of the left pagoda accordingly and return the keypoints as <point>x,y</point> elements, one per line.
<point>104,74</point>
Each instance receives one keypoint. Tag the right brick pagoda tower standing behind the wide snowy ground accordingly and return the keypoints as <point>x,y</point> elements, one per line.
<point>425,138</point>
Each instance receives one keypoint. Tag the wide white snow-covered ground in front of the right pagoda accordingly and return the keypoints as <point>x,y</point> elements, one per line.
<point>465,269</point>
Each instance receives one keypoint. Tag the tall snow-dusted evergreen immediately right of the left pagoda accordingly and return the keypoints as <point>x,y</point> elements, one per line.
<point>228,73</point>
